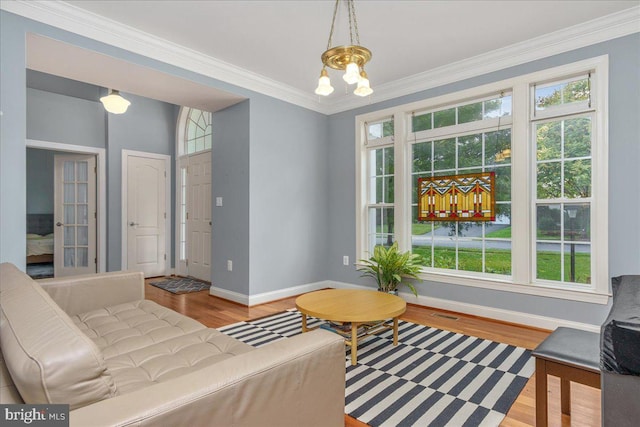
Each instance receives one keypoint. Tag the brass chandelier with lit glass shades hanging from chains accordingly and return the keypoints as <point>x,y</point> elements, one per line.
<point>350,58</point>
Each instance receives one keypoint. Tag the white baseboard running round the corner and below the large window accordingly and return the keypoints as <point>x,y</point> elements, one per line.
<point>510,316</point>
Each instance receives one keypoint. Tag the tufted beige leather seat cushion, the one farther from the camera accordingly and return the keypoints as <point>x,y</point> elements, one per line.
<point>127,327</point>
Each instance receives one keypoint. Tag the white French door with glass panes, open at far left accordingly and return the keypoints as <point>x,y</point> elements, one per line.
<point>75,215</point>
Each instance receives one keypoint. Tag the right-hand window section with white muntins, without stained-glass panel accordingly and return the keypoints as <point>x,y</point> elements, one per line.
<point>563,140</point>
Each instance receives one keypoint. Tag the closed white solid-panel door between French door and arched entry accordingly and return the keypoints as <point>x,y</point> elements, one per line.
<point>146,215</point>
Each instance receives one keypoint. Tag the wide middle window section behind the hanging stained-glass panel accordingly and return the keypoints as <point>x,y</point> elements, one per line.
<point>468,138</point>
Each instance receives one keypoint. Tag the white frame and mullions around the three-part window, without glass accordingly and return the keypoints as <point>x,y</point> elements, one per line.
<point>523,177</point>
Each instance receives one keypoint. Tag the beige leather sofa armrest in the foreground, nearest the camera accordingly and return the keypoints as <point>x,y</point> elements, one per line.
<point>298,381</point>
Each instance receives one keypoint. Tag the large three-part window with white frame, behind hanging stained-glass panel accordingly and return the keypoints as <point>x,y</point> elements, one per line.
<point>544,137</point>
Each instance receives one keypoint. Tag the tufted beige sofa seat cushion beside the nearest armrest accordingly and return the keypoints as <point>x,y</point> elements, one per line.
<point>172,358</point>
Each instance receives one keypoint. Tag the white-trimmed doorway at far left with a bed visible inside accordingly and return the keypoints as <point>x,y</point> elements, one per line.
<point>41,212</point>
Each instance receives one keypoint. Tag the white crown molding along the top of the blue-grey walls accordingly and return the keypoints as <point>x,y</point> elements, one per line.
<point>73,19</point>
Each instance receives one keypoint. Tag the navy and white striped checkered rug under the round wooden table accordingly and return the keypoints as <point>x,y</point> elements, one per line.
<point>431,378</point>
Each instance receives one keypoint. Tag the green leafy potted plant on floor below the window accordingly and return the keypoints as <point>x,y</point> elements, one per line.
<point>388,266</point>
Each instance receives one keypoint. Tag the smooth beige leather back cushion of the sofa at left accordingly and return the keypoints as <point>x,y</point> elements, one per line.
<point>50,360</point>
